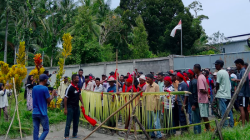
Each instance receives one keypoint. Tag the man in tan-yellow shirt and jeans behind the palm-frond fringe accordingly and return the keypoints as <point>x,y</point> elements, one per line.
<point>153,106</point>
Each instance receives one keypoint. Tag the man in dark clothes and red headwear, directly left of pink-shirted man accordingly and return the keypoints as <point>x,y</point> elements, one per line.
<point>193,101</point>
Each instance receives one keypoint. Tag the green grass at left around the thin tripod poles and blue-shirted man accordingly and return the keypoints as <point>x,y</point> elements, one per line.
<point>55,116</point>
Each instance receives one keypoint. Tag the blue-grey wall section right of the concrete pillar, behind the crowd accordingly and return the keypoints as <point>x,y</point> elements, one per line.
<point>207,61</point>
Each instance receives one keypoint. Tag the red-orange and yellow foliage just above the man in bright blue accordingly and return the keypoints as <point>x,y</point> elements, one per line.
<point>38,70</point>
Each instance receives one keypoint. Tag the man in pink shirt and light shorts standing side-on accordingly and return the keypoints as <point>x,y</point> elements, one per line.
<point>203,95</point>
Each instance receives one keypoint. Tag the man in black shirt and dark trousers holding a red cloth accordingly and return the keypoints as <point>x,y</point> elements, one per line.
<point>71,104</point>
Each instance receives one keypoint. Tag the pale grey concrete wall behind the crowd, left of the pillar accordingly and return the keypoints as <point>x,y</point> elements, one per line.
<point>97,69</point>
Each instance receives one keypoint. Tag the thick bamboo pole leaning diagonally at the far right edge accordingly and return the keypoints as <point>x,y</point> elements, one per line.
<point>231,103</point>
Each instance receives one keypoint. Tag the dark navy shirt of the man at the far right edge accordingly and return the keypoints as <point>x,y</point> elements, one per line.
<point>245,88</point>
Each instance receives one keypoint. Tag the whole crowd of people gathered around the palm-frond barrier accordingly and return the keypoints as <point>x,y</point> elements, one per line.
<point>210,91</point>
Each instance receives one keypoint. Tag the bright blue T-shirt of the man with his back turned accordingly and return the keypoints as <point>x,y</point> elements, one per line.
<point>40,95</point>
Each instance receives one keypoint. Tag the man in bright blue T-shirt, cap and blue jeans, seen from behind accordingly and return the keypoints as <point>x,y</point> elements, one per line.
<point>41,98</point>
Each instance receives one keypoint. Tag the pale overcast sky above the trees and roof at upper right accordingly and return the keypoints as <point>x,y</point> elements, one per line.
<point>231,17</point>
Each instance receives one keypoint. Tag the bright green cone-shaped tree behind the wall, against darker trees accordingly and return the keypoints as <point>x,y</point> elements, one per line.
<point>139,44</point>
